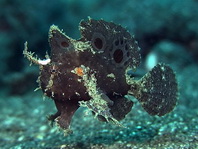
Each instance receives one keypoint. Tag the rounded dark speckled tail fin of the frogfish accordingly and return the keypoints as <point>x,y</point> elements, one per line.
<point>157,91</point>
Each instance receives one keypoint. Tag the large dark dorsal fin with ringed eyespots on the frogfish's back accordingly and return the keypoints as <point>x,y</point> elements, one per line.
<point>111,40</point>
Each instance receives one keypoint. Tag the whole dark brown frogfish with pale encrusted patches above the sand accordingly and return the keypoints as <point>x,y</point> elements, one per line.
<point>92,72</point>
